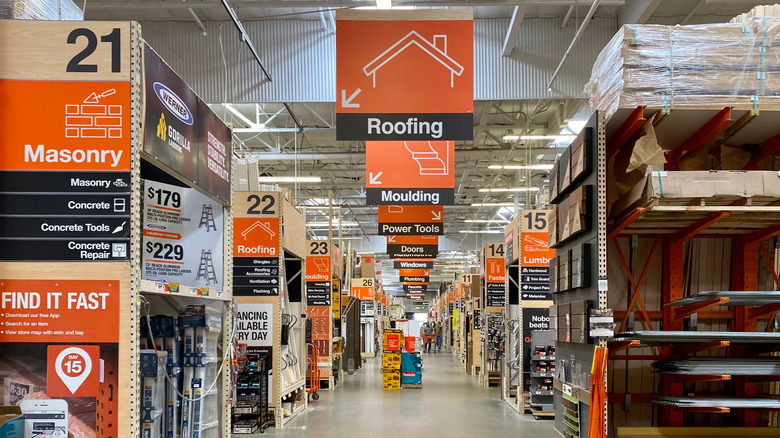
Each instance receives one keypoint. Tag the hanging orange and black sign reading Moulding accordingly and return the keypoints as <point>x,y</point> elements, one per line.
<point>410,173</point>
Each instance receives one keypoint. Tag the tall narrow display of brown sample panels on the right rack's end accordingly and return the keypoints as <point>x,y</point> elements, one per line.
<point>578,194</point>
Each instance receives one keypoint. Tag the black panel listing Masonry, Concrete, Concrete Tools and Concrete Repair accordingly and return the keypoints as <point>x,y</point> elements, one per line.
<point>64,216</point>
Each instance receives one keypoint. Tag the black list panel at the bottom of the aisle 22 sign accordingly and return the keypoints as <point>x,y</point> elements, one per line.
<point>255,276</point>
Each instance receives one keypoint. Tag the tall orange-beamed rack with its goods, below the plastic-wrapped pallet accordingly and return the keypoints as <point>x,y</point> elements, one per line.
<point>724,224</point>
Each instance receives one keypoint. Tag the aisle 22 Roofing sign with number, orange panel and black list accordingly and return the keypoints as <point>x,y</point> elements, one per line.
<point>256,242</point>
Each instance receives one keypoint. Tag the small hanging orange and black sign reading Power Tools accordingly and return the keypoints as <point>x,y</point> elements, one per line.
<point>411,220</point>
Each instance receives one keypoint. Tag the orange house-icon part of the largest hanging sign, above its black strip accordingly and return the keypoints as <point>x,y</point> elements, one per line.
<point>404,66</point>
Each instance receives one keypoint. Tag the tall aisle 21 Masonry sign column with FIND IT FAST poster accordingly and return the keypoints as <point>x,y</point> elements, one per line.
<point>65,162</point>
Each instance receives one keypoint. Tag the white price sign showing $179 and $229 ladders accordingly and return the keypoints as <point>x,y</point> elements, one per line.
<point>182,236</point>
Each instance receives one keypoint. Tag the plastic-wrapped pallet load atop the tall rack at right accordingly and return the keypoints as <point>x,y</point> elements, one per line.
<point>701,66</point>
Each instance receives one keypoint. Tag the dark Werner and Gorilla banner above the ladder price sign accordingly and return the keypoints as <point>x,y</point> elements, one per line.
<point>182,132</point>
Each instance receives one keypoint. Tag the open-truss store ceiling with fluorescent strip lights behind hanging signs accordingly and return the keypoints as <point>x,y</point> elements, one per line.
<point>282,149</point>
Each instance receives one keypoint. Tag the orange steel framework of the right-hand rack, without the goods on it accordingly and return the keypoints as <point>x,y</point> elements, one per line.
<point>743,227</point>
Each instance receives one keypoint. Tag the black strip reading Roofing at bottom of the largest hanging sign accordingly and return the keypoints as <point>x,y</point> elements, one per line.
<point>357,126</point>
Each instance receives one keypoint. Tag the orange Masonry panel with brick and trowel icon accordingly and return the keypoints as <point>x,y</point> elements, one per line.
<point>80,126</point>
